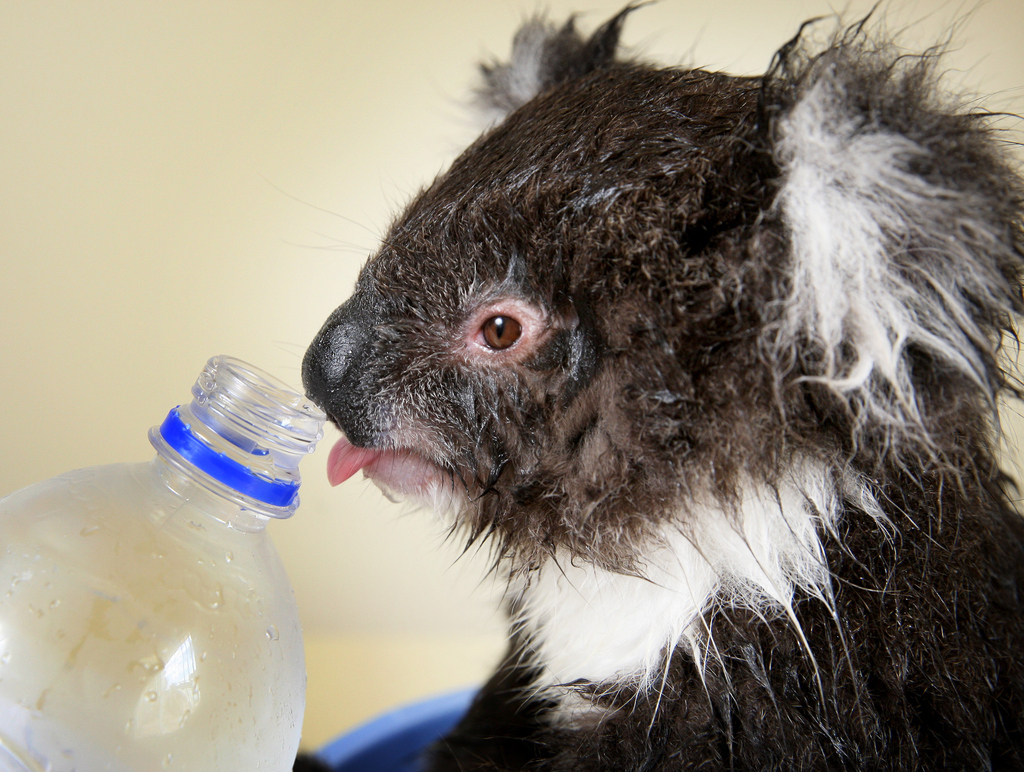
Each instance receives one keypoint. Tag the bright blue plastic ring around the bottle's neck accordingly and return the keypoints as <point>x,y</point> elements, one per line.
<point>237,477</point>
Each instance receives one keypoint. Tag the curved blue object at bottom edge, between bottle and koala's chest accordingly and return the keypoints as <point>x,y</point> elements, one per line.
<point>394,742</point>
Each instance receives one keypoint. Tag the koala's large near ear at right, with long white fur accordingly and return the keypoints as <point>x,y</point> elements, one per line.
<point>903,212</point>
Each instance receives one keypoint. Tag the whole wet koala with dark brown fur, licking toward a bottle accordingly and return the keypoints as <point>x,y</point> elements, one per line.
<point>711,366</point>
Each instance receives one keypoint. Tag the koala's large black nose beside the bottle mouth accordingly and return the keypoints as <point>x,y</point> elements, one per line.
<point>340,370</point>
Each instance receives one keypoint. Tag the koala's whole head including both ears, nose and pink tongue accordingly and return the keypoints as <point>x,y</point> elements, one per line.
<point>645,286</point>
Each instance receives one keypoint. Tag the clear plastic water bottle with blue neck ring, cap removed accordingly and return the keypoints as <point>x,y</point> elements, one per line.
<point>146,621</point>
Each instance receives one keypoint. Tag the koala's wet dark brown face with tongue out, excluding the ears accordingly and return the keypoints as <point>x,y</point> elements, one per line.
<point>538,325</point>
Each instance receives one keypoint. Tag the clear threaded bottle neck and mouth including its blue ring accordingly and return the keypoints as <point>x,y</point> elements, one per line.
<point>243,435</point>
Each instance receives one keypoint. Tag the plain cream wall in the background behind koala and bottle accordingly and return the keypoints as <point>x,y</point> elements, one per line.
<point>182,180</point>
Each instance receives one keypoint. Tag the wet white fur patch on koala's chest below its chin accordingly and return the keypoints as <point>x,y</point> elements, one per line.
<point>587,625</point>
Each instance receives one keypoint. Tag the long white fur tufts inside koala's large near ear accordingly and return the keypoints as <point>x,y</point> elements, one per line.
<point>883,259</point>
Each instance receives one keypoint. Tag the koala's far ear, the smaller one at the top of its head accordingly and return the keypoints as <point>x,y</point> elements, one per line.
<point>544,56</point>
